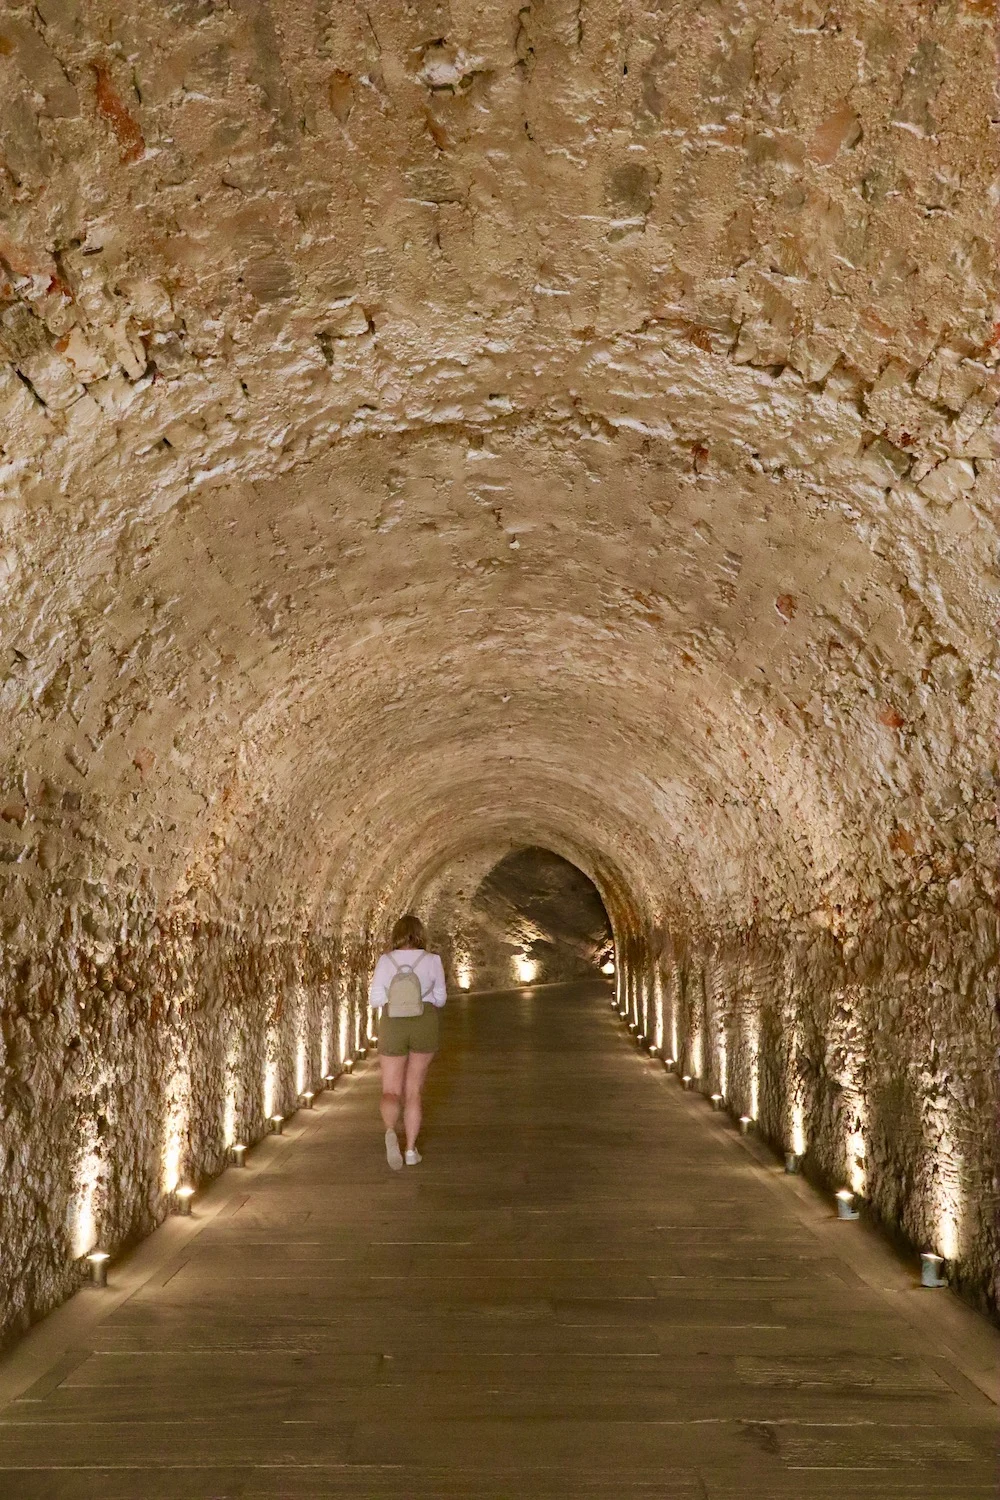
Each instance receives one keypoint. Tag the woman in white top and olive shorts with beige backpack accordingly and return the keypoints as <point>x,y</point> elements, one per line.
<point>407,992</point>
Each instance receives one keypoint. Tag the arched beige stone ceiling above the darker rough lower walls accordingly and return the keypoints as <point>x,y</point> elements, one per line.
<point>425,425</point>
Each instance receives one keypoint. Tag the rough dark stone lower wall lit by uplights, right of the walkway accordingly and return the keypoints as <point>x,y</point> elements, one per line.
<point>873,1055</point>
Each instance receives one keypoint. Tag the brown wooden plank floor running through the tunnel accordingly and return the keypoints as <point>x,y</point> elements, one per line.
<point>591,1286</point>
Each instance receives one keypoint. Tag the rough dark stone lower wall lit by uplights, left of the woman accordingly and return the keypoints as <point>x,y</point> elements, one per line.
<point>134,1052</point>
